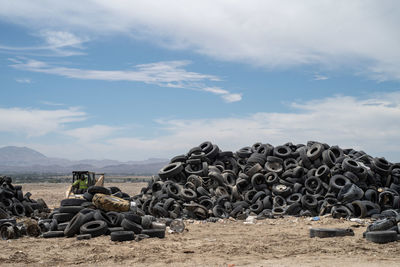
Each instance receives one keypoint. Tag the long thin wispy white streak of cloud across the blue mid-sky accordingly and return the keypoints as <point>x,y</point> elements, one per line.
<point>163,74</point>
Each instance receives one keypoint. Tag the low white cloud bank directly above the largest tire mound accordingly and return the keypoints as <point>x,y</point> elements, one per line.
<point>369,124</point>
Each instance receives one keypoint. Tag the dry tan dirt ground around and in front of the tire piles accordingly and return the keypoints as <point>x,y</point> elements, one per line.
<point>271,242</point>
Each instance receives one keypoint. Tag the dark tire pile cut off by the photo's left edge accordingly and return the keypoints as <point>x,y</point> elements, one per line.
<point>14,203</point>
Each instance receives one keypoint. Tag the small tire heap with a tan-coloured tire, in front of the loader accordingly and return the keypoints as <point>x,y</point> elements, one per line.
<point>102,211</point>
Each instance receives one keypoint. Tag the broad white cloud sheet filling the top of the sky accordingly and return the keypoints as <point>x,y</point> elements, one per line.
<point>359,34</point>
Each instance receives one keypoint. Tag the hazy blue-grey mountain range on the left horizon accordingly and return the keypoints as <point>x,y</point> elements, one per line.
<point>14,160</point>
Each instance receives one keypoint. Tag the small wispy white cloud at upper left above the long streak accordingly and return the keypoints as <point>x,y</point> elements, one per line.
<point>55,43</point>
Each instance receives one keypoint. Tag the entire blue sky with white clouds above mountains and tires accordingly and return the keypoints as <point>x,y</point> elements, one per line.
<point>132,80</point>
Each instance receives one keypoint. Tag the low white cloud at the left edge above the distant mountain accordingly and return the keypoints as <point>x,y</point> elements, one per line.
<point>37,122</point>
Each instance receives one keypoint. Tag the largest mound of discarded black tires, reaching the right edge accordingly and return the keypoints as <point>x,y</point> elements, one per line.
<point>266,181</point>
